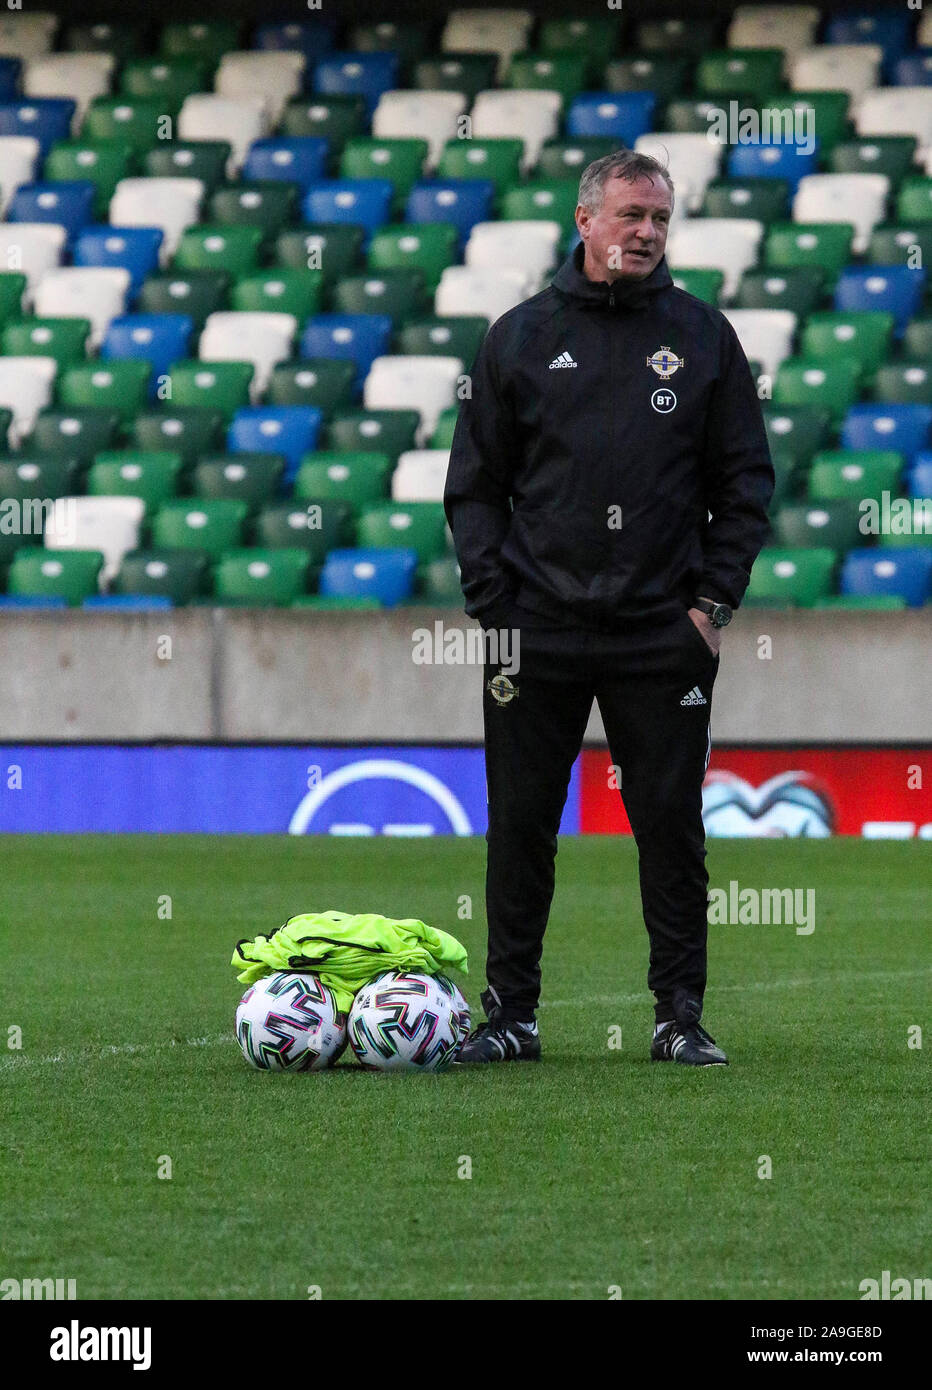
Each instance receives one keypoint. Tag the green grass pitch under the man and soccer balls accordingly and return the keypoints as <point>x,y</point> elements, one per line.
<point>591,1172</point>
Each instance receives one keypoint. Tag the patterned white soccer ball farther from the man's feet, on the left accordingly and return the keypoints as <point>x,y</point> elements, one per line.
<point>291,1022</point>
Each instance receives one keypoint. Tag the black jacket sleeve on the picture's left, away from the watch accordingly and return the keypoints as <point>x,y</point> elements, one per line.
<point>477,497</point>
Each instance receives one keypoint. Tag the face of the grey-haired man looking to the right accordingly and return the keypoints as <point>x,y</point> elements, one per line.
<point>627,237</point>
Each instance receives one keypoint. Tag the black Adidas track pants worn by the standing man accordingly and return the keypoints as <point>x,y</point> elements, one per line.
<point>655,694</point>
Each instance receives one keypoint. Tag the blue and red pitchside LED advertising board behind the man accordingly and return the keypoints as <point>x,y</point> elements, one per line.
<point>438,792</point>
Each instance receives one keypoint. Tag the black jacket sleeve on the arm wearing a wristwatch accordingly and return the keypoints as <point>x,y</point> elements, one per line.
<point>740,479</point>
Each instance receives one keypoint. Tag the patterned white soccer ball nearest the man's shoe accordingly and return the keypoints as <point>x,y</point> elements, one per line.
<point>405,1022</point>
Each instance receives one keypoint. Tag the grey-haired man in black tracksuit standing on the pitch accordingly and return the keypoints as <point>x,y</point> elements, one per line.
<point>608,494</point>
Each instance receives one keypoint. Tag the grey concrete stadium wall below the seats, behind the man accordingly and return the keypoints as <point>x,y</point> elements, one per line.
<point>245,675</point>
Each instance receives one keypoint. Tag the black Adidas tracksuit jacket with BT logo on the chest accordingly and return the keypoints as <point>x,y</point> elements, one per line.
<point>570,494</point>
